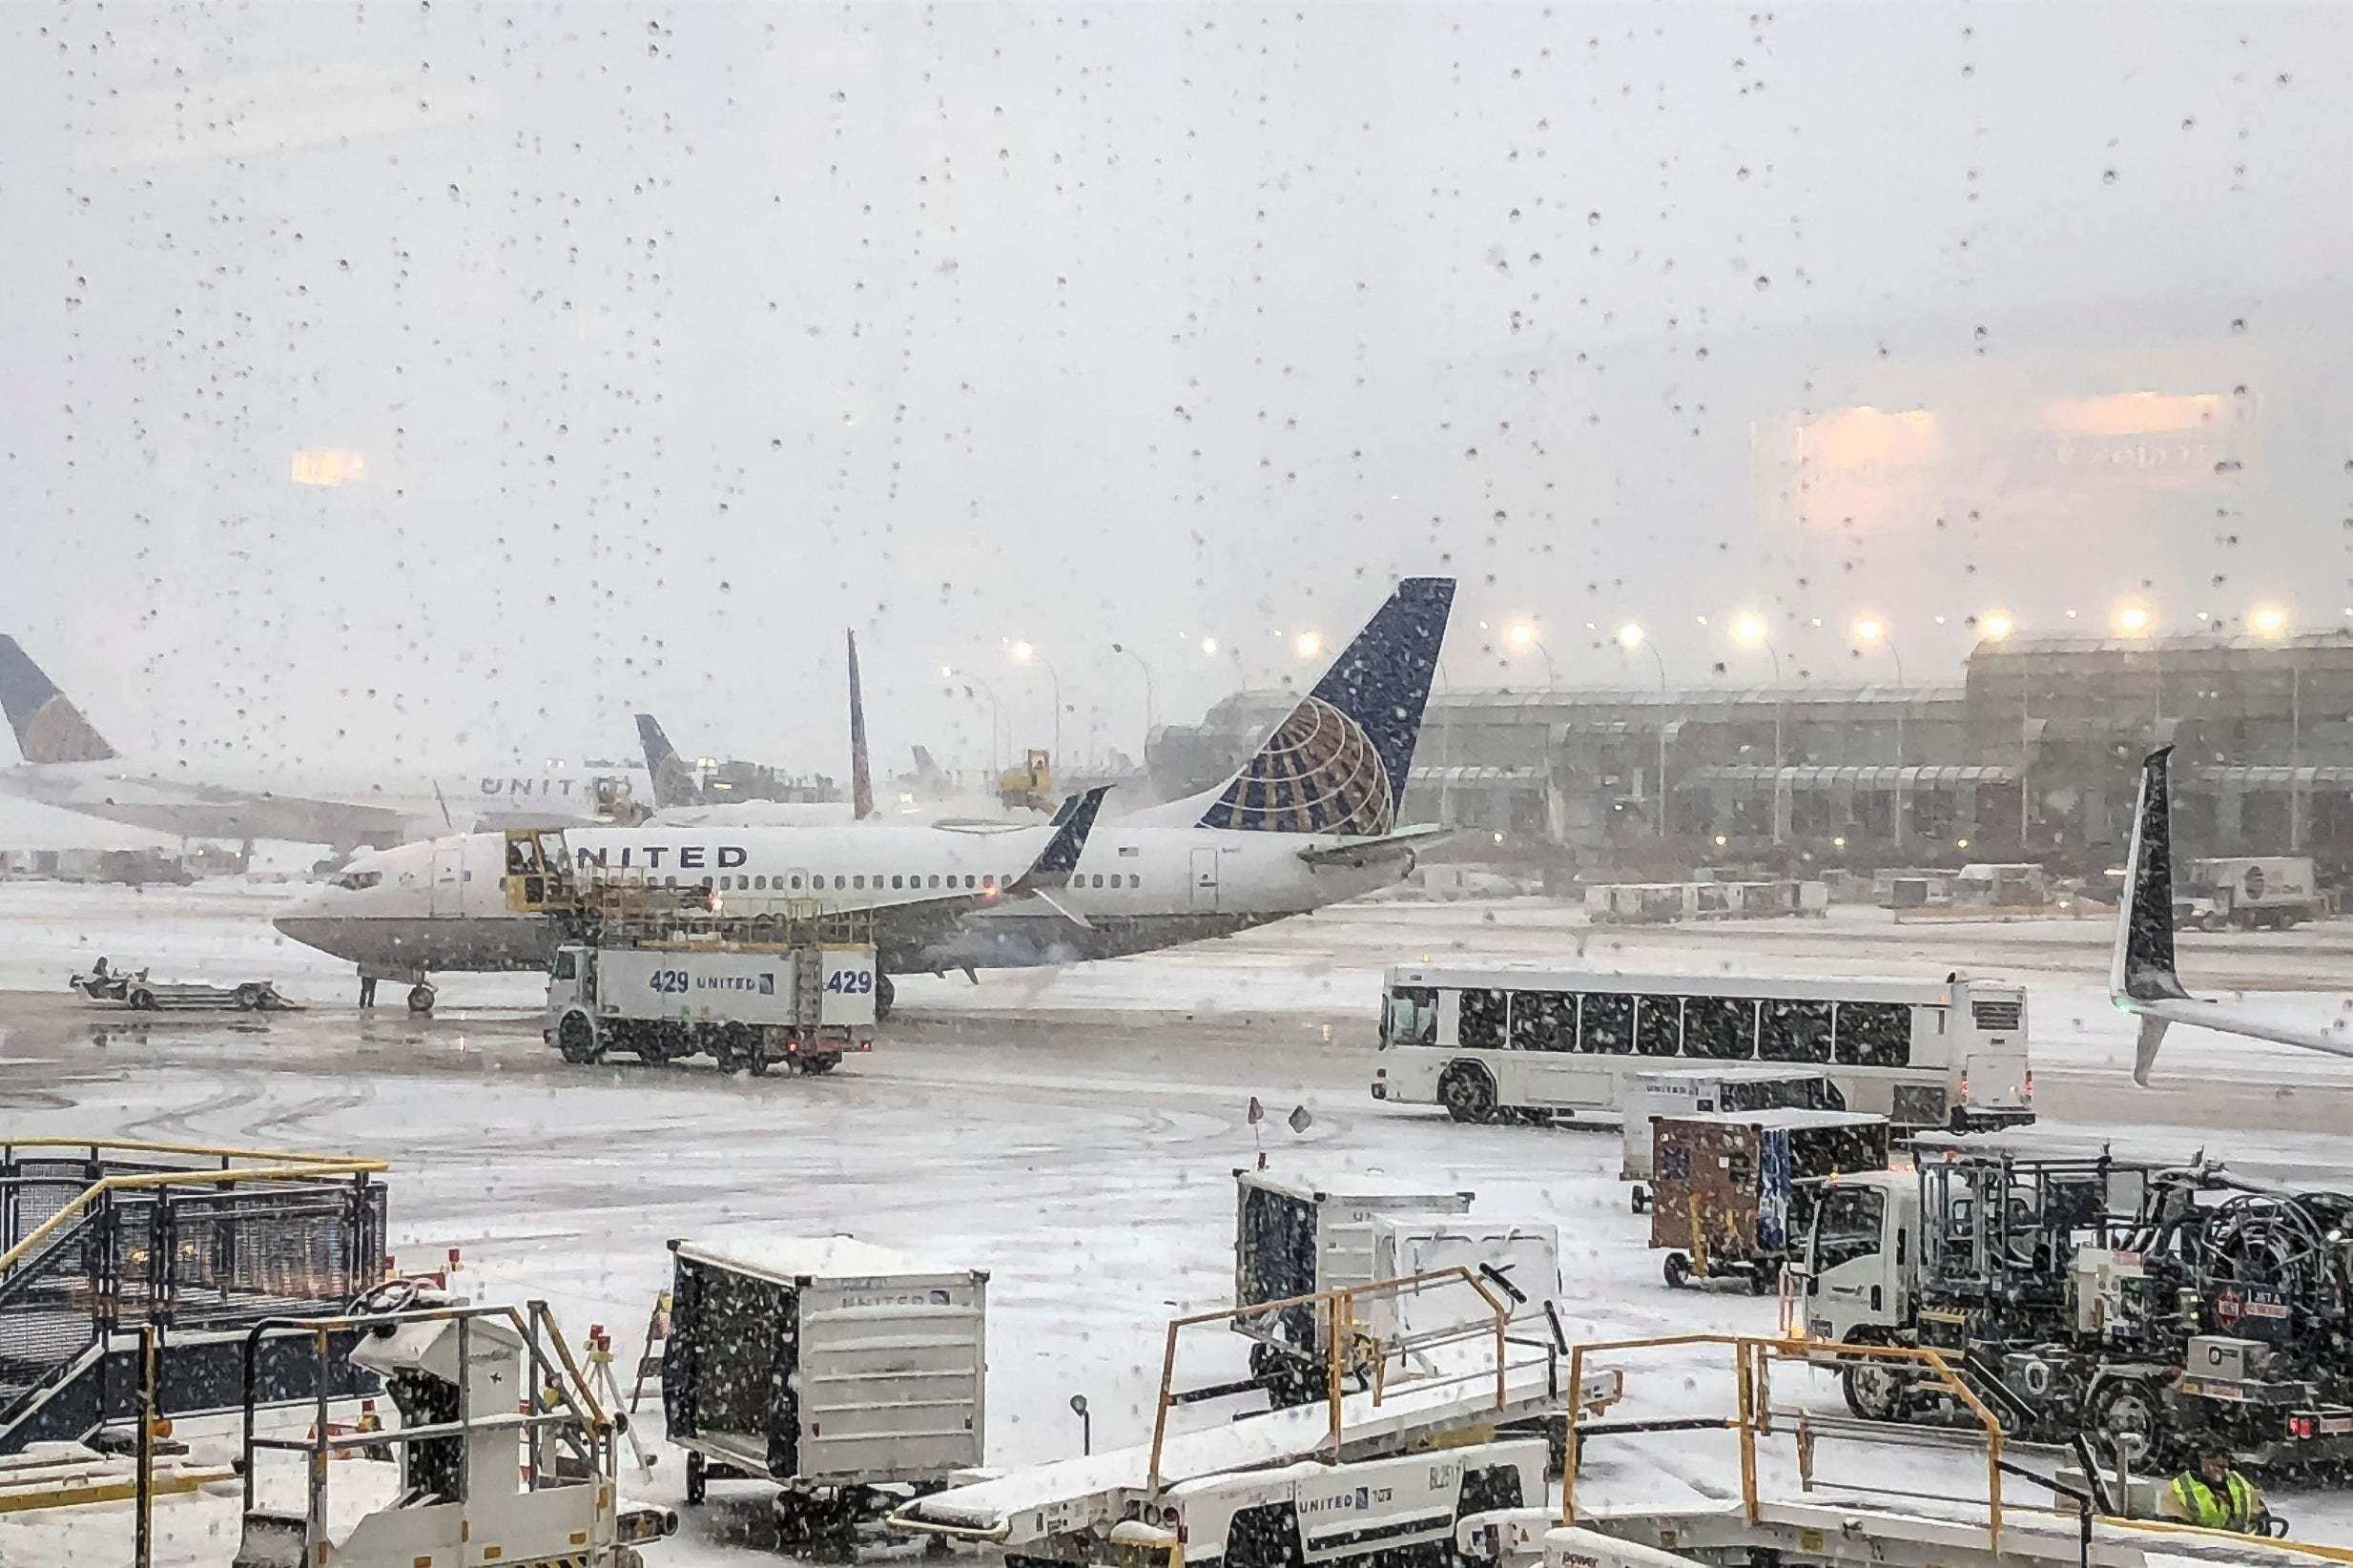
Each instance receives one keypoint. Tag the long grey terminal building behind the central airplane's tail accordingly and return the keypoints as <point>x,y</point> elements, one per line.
<point>2032,757</point>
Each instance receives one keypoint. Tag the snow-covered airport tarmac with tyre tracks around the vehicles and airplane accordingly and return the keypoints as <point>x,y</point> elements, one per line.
<point>1072,1131</point>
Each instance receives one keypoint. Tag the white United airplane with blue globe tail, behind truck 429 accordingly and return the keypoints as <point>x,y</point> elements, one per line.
<point>1309,820</point>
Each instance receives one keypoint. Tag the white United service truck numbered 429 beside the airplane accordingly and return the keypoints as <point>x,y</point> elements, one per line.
<point>745,1004</point>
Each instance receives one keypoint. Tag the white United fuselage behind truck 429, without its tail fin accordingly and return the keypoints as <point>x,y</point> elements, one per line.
<point>439,908</point>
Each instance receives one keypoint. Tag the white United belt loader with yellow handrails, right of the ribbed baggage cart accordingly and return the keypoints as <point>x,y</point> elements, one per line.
<point>1133,1501</point>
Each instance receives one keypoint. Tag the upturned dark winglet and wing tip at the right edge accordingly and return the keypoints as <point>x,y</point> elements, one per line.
<point>2142,978</point>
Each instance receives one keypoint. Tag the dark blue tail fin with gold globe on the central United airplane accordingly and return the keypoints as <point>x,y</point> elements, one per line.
<point>1338,764</point>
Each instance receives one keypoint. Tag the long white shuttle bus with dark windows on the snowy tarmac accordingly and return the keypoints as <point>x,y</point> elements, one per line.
<point>1512,1044</point>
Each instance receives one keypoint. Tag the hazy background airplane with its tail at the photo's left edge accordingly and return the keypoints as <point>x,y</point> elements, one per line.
<point>67,764</point>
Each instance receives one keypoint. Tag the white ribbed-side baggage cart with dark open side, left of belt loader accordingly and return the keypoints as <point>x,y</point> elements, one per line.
<point>848,1374</point>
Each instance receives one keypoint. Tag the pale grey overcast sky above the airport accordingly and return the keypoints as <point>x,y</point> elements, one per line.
<point>669,340</point>
